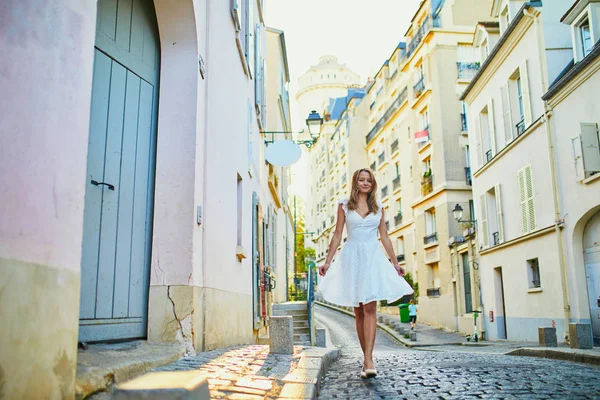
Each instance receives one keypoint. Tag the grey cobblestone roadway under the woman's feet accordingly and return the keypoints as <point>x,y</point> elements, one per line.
<point>419,374</point>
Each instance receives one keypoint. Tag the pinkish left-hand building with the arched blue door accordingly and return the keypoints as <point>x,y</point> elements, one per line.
<point>154,200</point>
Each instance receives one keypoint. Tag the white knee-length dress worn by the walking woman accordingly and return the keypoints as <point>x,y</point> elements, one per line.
<point>362,273</point>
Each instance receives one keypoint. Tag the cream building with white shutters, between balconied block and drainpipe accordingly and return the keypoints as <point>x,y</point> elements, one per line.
<point>515,184</point>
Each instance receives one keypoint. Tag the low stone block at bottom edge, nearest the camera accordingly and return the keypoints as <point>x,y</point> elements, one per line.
<point>183,385</point>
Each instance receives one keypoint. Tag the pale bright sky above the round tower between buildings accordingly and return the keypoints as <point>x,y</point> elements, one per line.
<point>361,33</point>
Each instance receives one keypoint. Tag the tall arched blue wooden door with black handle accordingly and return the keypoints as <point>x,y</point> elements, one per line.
<point>120,173</point>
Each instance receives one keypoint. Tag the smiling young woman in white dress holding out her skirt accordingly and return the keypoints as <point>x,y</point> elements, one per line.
<point>362,274</point>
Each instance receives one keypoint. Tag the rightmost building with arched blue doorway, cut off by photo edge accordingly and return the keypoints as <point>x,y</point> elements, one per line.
<point>573,123</point>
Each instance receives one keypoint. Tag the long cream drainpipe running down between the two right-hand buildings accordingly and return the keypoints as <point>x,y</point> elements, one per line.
<point>558,222</point>
